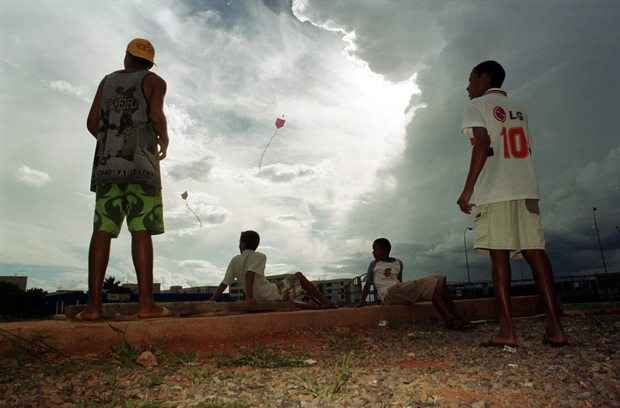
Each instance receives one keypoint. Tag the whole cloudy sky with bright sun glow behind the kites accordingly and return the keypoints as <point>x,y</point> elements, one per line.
<point>372,92</point>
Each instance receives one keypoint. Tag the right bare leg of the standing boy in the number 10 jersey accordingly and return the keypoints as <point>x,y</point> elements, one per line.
<point>541,269</point>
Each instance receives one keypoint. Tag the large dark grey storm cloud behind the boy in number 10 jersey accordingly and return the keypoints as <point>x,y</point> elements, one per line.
<point>558,56</point>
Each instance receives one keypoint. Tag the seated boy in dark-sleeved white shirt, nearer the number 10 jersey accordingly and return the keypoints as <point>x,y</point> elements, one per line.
<point>386,274</point>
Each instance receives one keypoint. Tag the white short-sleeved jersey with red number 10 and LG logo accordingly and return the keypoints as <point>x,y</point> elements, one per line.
<point>508,173</point>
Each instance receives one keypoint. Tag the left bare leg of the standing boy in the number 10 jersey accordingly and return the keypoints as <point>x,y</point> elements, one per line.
<point>500,260</point>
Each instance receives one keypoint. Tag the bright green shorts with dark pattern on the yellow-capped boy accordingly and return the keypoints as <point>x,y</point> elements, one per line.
<point>141,205</point>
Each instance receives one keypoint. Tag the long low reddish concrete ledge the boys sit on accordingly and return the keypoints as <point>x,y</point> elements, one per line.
<point>200,333</point>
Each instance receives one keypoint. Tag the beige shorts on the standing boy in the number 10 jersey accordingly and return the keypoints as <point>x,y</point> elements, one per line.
<point>509,225</point>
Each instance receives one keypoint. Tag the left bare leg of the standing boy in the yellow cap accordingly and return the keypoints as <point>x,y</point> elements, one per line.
<point>98,256</point>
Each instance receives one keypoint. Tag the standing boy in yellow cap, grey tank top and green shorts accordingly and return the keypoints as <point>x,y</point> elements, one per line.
<point>128,121</point>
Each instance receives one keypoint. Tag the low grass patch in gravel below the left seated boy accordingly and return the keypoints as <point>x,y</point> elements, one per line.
<point>261,357</point>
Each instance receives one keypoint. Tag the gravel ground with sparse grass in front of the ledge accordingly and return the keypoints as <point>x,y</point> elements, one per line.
<point>406,366</point>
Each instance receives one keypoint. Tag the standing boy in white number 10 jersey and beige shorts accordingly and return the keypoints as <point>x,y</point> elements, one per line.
<point>506,217</point>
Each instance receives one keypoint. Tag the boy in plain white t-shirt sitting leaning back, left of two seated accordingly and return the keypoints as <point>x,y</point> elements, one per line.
<point>248,269</point>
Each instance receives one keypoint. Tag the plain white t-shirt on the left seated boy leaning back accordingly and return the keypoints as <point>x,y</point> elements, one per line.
<point>253,261</point>
